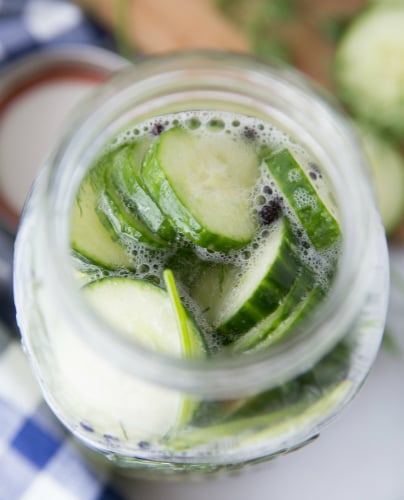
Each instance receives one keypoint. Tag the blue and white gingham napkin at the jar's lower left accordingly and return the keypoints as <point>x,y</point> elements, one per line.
<point>38,458</point>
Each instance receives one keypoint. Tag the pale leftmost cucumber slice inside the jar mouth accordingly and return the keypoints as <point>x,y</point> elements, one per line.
<point>88,237</point>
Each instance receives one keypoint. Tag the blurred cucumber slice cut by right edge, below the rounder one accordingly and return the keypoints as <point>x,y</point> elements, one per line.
<point>387,169</point>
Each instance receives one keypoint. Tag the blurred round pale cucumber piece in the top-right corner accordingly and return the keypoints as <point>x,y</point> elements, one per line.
<point>369,66</point>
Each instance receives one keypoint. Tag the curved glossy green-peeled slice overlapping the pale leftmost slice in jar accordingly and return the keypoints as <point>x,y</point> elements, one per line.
<point>124,185</point>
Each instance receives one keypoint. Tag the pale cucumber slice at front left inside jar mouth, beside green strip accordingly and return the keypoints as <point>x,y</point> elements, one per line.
<point>143,312</point>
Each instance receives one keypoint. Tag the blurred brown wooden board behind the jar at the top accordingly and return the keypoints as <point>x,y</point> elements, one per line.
<point>155,26</point>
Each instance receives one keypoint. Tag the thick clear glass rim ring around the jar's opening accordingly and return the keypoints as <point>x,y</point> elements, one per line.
<point>194,78</point>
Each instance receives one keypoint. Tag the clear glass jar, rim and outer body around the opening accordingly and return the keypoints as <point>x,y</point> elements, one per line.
<point>116,396</point>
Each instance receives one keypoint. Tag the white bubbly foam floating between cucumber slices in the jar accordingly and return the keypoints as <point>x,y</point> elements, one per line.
<point>267,204</point>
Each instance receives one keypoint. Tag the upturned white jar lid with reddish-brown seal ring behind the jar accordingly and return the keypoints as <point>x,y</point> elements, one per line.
<point>37,92</point>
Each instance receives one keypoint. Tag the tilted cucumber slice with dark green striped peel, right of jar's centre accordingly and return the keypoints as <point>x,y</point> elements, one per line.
<point>237,299</point>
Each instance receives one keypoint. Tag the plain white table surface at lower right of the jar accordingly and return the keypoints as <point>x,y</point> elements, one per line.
<point>360,456</point>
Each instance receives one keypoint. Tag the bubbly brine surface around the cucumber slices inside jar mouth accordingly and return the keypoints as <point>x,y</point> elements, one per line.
<point>264,138</point>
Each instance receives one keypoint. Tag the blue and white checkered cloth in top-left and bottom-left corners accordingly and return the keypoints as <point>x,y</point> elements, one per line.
<point>39,460</point>
